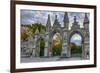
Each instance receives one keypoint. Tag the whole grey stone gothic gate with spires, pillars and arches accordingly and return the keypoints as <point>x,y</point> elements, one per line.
<point>66,35</point>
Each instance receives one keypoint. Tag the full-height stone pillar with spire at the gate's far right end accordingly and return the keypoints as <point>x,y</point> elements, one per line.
<point>86,39</point>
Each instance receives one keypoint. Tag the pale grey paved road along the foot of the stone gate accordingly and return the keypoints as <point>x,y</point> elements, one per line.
<point>34,59</point>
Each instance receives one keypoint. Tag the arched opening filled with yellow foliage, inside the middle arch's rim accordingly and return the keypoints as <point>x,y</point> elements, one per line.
<point>56,44</point>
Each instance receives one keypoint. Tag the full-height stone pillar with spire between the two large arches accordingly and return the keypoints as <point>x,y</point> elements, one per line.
<point>65,49</point>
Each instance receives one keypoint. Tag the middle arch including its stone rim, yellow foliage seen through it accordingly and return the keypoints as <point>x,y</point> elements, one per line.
<point>56,42</point>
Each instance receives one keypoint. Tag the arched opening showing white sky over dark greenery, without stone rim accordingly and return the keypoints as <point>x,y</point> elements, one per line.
<point>76,44</point>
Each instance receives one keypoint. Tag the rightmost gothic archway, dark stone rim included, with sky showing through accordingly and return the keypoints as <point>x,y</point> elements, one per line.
<point>76,44</point>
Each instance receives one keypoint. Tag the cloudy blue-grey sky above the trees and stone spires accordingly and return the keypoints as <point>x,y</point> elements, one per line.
<point>34,16</point>
